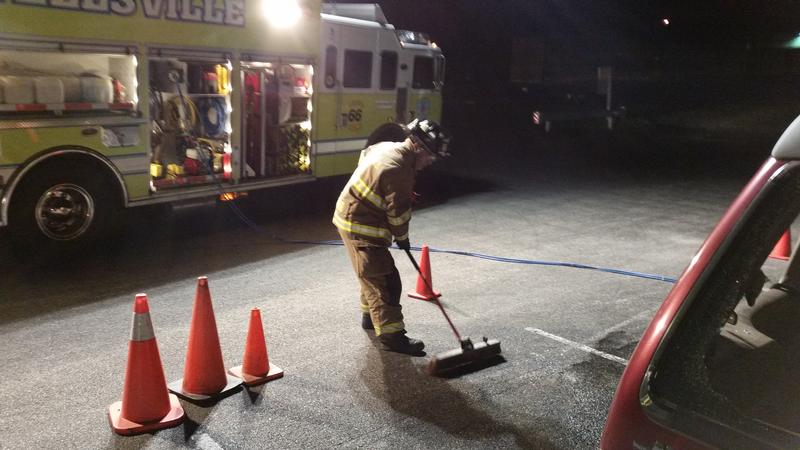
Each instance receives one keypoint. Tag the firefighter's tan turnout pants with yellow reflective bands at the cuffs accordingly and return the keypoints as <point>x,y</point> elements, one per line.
<point>380,284</point>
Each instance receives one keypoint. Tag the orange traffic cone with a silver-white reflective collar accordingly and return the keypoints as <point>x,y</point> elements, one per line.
<point>146,405</point>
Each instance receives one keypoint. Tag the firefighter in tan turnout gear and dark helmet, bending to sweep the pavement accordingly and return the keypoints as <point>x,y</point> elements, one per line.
<point>375,207</point>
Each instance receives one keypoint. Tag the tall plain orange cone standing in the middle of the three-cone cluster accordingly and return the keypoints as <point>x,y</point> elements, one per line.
<point>204,376</point>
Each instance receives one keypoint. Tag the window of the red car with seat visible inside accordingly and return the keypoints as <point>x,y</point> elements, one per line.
<point>734,355</point>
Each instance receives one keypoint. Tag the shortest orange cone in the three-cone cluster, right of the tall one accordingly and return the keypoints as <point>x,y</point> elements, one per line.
<point>256,368</point>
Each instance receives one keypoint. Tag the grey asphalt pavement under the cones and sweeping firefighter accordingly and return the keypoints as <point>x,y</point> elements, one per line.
<point>640,199</point>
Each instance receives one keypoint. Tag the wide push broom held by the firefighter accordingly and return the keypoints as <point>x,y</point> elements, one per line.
<point>469,354</point>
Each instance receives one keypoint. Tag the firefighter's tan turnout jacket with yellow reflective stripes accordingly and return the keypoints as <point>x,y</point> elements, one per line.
<point>375,205</point>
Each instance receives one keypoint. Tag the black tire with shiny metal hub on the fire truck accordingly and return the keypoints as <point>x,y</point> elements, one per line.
<point>61,207</point>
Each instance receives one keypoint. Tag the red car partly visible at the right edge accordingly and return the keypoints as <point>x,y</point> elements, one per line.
<point>719,365</point>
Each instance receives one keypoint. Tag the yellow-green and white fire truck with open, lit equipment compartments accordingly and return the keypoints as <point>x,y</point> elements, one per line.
<point>120,103</point>
